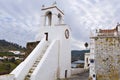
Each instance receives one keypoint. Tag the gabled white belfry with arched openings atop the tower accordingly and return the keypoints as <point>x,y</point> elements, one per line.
<point>51,16</point>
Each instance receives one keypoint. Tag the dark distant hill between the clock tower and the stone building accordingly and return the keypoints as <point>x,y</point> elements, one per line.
<point>78,54</point>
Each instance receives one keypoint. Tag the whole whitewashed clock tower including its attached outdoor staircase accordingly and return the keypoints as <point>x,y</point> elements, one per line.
<point>51,58</point>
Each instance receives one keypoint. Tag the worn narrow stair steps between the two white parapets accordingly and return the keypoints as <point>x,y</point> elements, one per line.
<point>27,77</point>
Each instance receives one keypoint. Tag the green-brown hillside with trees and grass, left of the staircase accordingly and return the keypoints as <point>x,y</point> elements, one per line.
<point>8,64</point>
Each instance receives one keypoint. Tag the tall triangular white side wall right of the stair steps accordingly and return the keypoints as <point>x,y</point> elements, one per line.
<point>48,67</point>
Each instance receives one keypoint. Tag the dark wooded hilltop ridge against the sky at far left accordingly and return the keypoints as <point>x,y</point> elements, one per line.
<point>6,46</point>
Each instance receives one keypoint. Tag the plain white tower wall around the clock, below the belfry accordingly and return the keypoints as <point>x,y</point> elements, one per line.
<point>58,33</point>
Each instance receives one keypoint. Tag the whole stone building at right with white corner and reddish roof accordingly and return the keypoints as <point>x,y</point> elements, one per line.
<point>105,54</point>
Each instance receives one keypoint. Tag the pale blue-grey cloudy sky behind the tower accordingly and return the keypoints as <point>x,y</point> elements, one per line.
<point>20,19</point>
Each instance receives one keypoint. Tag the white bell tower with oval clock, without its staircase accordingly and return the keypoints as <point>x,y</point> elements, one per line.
<point>53,26</point>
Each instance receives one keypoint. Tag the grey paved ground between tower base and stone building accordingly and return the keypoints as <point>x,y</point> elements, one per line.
<point>81,76</point>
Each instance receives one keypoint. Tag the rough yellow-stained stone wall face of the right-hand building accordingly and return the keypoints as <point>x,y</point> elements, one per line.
<point>107,58</point>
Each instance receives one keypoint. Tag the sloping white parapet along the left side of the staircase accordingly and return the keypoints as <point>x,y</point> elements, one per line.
<point>21,71</point>
